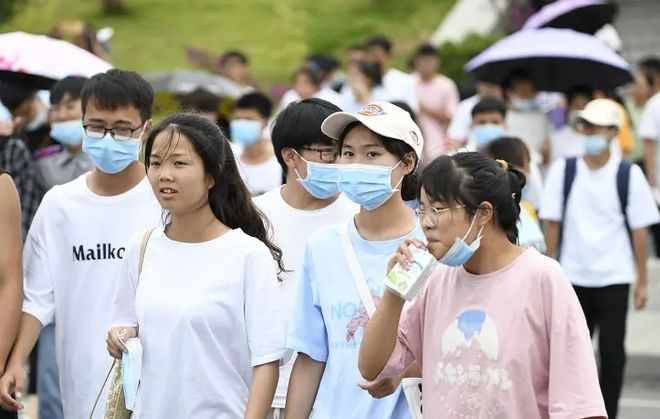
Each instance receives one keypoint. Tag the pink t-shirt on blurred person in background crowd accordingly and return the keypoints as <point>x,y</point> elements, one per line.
<point>440,95</point>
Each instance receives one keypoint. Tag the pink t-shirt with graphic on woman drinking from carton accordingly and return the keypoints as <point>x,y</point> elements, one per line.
<point>510,344</point>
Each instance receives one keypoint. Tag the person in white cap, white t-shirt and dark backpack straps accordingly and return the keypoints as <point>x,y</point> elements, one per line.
<point>598,209</point>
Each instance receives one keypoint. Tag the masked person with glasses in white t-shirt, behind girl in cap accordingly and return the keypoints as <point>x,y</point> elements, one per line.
<point>308,201</point>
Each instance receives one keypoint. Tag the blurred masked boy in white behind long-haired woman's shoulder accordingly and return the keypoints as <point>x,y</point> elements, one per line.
<point>257,163</point>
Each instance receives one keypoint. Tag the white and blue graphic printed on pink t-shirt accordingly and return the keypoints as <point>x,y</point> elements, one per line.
<point>470,355</point>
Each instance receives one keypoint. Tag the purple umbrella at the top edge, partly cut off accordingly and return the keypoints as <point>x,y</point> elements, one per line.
<point>586,16</point>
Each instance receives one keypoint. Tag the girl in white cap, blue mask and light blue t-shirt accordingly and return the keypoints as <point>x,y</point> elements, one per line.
<point>344,267</point>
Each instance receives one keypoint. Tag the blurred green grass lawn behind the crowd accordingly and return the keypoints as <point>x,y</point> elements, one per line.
<point>276,34</point>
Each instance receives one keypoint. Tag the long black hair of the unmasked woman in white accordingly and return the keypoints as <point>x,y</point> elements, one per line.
<point>229,198</point>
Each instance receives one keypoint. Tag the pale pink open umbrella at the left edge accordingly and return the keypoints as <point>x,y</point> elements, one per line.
<point>38,60</point>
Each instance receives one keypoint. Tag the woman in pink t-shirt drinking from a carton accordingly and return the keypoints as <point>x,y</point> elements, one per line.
<point>498,330</point>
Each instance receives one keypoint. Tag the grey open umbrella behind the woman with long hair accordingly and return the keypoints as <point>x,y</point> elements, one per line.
<point>186,81</point>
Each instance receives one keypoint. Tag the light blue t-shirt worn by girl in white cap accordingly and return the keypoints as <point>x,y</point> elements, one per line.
<point>329,321</point>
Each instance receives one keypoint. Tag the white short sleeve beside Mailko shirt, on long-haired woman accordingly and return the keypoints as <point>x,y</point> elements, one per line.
<point>123,313</point>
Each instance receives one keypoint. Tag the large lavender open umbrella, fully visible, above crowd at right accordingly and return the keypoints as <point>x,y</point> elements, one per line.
<point>556,59</point>
